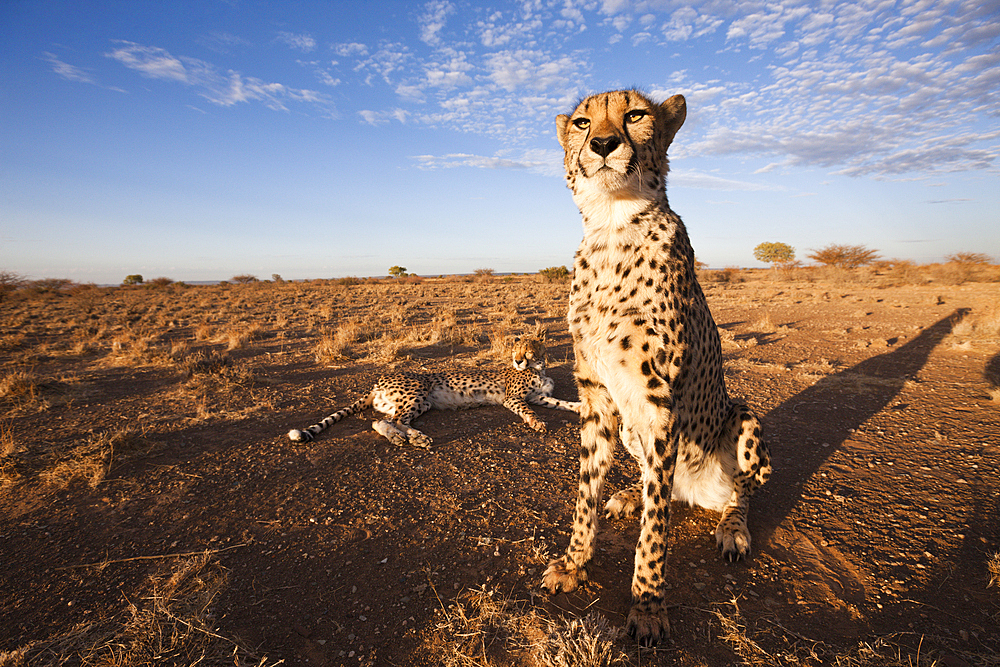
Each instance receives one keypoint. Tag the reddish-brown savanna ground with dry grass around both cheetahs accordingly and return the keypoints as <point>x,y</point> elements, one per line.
<point>153,511</point>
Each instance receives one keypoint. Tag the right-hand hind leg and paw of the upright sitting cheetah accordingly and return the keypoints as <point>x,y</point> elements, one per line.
<point>742,431</point>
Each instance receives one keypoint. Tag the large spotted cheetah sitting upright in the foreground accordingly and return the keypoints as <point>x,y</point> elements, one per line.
<point>648,358</point>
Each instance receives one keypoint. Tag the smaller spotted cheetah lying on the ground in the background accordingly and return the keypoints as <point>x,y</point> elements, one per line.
<point>406,396</point>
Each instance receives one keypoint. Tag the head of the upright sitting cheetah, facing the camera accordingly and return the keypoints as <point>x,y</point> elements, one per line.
<point>616,143</point>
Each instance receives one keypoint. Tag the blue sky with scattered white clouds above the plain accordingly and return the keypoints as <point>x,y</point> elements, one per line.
<point>200,140</point>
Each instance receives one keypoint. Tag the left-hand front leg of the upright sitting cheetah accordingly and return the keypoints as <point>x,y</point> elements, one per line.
<point>599,422</point>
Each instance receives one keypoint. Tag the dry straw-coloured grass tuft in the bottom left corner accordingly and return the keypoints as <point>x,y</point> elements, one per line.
<point>172,623</point>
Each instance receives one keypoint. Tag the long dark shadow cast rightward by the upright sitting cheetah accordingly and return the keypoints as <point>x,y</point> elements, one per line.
<point>811,426</point>
